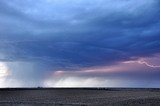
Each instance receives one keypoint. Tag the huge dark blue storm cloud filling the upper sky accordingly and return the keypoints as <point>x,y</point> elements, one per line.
<point>93,36</point>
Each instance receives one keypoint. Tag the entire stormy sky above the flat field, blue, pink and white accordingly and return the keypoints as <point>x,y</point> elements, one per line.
<point>80,43</point>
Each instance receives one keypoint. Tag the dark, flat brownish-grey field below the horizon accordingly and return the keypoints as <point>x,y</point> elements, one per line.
<point>79,97</point>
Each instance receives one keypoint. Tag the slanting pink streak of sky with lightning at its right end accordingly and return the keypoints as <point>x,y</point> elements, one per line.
<point>121,67</point>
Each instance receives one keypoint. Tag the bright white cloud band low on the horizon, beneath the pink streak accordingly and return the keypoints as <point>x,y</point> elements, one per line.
<point>75,81</point>
